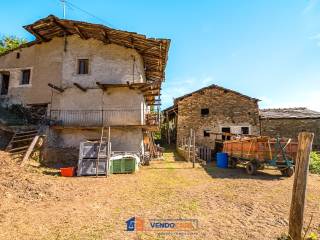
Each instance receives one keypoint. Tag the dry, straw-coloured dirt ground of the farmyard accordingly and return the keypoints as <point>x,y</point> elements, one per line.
<point>37,203</point>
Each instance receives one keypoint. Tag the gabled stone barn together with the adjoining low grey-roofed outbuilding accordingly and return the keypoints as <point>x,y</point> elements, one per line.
<point>213,110</point>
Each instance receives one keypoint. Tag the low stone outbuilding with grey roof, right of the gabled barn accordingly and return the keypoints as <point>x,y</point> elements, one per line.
<point>288,122</point>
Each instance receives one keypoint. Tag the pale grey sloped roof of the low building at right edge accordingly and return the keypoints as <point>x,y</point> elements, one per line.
<point>298,113</point>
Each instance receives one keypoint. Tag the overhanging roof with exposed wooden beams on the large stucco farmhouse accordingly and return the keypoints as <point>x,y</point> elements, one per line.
<point>154,51</point>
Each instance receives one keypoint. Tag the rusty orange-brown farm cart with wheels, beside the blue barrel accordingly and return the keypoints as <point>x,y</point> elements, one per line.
<point>257,152</point>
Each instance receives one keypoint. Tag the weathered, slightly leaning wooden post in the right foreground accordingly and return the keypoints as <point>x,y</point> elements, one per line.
<point>299,185</point>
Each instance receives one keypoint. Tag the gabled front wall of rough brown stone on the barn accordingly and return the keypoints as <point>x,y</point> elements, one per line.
<point>226,109</point>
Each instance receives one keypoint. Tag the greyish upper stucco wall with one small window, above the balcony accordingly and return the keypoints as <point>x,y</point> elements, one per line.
<point>107,63</point>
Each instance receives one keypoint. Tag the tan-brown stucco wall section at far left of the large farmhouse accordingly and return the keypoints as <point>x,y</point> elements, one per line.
<point>45,62</point>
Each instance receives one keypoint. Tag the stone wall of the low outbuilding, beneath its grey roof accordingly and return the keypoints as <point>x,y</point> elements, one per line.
<point>291,127</point>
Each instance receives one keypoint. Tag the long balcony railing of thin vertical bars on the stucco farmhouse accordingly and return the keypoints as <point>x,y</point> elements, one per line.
<point>107,117</point>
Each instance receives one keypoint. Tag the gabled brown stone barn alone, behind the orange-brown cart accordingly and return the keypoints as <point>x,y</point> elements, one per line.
<point>210,110</point>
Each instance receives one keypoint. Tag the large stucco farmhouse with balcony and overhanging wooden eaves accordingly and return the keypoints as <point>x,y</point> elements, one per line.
<point>87,76</point>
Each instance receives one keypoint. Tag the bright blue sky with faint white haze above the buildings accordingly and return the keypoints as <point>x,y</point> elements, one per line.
<point>268,49</point>
